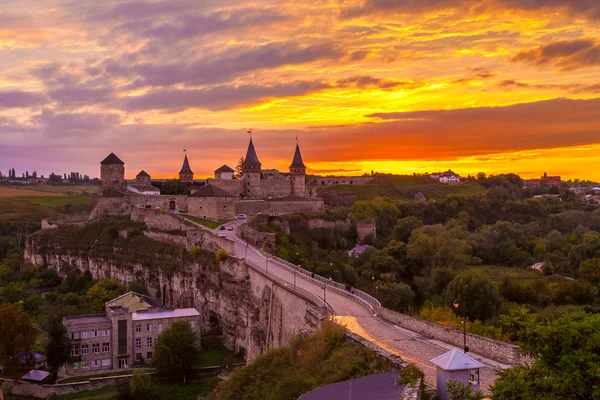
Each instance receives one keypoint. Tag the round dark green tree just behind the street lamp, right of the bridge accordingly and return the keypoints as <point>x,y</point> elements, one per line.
<point>477,297</point>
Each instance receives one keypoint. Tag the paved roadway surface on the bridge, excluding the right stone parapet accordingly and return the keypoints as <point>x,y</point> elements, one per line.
<point>409,345</point>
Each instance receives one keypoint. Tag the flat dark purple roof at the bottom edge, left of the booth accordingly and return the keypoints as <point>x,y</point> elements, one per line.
<point>379,386</point>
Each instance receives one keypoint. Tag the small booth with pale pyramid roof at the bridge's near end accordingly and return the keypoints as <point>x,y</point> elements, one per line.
<point>456,366</point>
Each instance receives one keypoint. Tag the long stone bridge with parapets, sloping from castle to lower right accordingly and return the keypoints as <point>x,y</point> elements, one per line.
<point>411,339</point>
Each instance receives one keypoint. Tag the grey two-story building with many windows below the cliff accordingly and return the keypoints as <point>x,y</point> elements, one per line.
<point>122,337</point>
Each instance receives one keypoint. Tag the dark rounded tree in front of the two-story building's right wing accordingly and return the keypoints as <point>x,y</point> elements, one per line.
<point>177,350</point>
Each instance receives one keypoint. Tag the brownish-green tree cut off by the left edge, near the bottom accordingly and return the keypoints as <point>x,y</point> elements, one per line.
<point>17,335</point>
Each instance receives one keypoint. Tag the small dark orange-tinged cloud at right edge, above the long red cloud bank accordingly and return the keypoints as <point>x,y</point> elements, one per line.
<point>564,55</point>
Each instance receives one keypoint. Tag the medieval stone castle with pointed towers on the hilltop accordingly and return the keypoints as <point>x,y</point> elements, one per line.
<point>257,191</point>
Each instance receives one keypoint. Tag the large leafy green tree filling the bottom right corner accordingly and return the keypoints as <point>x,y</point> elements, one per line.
<point>567,361</point>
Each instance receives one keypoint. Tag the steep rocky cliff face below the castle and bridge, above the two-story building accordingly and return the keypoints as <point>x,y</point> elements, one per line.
<point>251,312</point>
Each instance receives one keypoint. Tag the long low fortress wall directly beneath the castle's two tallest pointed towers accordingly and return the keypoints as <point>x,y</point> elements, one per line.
<point>278,207</point>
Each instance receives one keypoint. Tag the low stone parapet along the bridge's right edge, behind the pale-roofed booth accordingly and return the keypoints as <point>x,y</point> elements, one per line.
<point>496,350</point>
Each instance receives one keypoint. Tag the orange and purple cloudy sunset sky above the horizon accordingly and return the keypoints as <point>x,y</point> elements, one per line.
<point>397,86</point>
